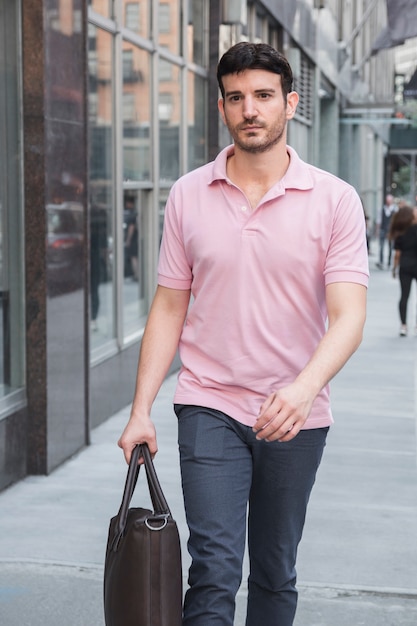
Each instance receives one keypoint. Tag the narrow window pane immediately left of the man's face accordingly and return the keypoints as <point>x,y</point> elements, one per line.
<point>197,121</point>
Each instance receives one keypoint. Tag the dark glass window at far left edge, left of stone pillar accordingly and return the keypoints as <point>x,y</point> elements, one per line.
<point>11,207</point>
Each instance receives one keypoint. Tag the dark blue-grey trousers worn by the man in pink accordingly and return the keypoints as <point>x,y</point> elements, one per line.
<point>224,468</point>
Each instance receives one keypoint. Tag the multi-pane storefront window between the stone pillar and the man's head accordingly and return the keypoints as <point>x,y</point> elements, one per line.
<point>145,131</point>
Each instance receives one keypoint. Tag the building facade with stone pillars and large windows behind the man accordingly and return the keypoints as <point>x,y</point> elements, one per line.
<point>103,105</point>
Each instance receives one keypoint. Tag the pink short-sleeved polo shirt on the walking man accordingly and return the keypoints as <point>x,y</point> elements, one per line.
<point>258,280</point>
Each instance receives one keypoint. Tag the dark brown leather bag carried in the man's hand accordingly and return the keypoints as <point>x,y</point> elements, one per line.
<point>142,573</point>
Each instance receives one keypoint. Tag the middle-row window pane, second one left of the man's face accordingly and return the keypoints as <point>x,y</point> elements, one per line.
<point>169,115</point>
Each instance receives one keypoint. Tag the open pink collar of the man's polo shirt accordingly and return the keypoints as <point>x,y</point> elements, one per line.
<point>297,176</point>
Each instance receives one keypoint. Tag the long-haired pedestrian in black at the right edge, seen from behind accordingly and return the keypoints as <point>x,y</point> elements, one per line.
<point>403,235</point>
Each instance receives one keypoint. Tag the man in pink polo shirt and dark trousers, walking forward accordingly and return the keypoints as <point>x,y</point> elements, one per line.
<point>269,247</point>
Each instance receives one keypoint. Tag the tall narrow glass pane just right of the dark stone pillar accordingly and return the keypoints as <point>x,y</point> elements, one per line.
<point>101,187</point>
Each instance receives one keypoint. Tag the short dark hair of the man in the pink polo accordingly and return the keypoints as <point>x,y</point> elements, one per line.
<point>255,56</point>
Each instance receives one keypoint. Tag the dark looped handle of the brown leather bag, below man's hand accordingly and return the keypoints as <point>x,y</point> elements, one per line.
<point>159,503</point>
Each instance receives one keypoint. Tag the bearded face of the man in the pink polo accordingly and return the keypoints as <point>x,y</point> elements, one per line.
<point>254,109</point>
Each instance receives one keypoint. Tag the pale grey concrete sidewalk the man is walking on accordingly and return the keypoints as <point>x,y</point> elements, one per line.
<point>358,559</point>
